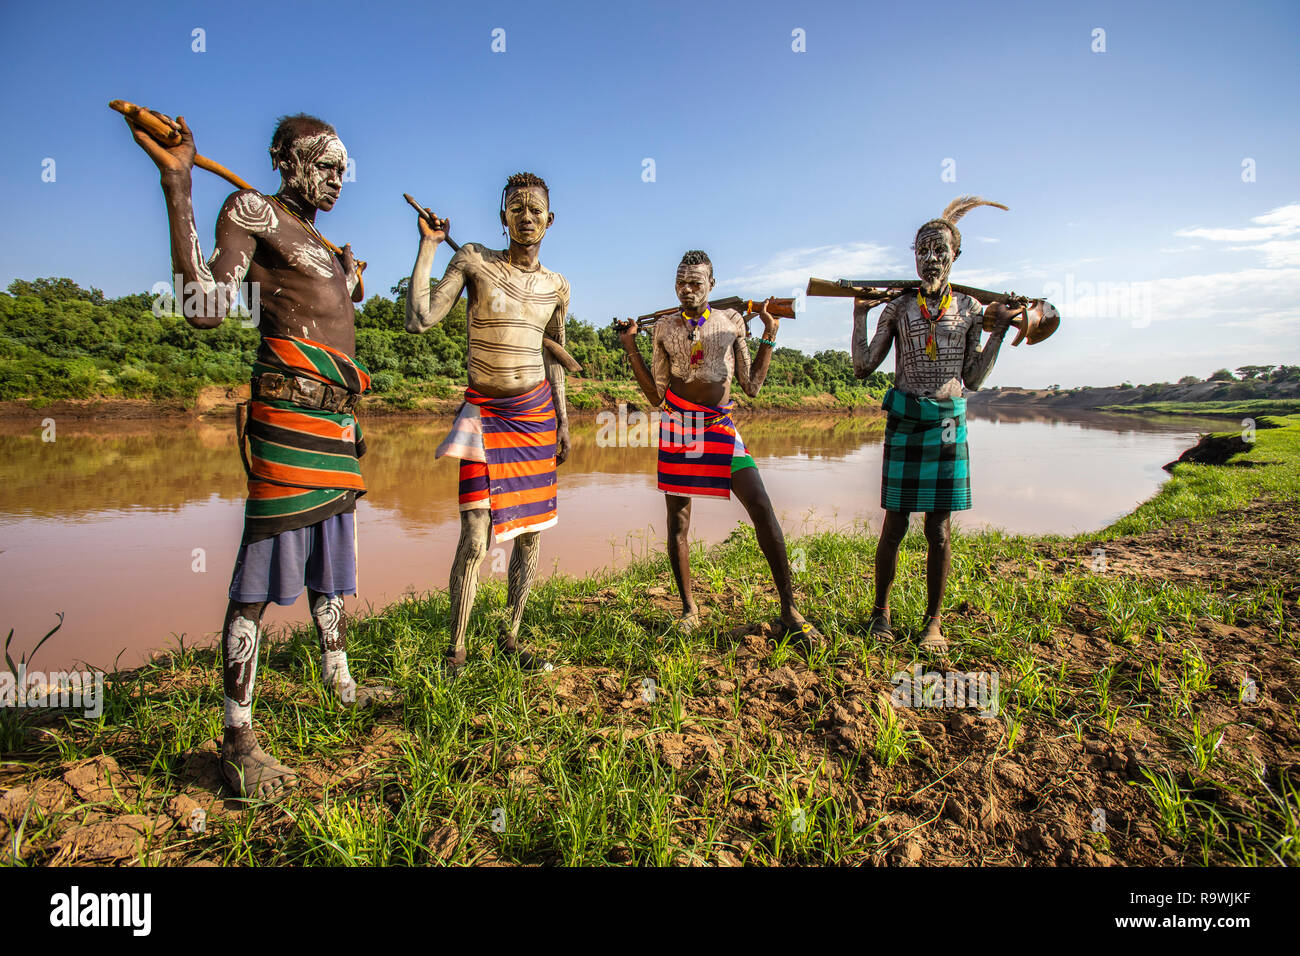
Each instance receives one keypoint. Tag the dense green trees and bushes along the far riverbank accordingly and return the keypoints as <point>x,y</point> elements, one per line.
<point>60,341</point>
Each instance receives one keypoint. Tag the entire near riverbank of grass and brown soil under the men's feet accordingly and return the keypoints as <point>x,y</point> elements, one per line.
<point>1147,715</point>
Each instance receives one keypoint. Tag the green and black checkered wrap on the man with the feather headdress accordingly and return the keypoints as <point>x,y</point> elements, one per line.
<point>926,464</point>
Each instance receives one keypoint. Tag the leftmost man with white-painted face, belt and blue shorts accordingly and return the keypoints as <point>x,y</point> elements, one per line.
<point>304,481</point>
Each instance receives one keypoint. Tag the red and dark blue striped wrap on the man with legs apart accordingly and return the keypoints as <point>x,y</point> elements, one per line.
<point>699,449</point>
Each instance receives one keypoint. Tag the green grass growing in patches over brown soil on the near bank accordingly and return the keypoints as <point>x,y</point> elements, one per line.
<point>517,773</point>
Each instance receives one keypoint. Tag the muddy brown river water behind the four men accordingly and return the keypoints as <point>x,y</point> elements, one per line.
<point>105,522</point>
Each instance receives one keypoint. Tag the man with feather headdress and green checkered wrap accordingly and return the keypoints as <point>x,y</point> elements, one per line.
<point>935,334</point>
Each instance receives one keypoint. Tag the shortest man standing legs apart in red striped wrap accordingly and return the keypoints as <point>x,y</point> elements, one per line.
<point>696,352</point>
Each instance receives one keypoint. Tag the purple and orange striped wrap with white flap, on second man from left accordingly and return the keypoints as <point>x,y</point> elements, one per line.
<point>508,458</point>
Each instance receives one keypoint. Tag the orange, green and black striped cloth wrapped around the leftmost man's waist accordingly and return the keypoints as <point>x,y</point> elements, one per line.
<point>302,462</point>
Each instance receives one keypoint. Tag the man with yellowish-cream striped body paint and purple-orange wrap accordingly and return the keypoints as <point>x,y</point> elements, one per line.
<point>513,429</point>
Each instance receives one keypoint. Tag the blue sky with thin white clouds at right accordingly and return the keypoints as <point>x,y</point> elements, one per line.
<point>1123,170</point>
